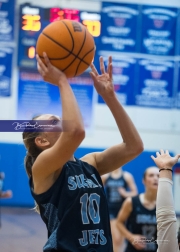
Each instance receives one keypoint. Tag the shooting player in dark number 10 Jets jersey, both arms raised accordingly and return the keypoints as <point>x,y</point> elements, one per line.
<point>69,191</point>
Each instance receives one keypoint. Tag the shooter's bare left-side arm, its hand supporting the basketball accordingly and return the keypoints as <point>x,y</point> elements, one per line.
<point>73,133</point>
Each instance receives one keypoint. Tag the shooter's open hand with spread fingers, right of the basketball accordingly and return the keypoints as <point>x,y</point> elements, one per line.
<point>104,82</point>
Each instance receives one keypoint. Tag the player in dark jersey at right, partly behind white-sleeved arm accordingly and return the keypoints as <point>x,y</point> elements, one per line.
<point>139,213</point>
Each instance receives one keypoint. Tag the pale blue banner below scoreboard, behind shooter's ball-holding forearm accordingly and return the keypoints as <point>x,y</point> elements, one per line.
<point>37,97</point>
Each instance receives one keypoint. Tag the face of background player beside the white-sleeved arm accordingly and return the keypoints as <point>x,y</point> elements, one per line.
<point>151,179</point>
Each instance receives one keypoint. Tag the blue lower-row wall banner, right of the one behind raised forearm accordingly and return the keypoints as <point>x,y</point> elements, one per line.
<point>155,86</point>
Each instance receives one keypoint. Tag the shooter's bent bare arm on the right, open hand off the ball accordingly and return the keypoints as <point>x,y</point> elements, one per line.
<point>132,145</point>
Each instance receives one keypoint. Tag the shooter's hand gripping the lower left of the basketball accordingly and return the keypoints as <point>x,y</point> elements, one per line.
<point>49,72</point>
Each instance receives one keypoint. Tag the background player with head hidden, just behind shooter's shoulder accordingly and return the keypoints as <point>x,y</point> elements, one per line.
<point>118,185</point>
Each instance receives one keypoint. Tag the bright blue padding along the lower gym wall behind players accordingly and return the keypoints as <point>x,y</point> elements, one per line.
<point>12,164</point>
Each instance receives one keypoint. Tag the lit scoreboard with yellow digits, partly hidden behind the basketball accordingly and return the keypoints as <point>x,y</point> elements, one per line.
<point>34,19</point>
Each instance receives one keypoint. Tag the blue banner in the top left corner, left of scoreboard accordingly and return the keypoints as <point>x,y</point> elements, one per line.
<point>7,11</point>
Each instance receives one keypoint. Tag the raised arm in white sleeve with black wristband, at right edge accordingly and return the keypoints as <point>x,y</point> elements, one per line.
<point>165,212</point>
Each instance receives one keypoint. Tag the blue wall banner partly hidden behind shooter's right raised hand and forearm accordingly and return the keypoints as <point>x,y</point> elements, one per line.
<point>124,71</point>
